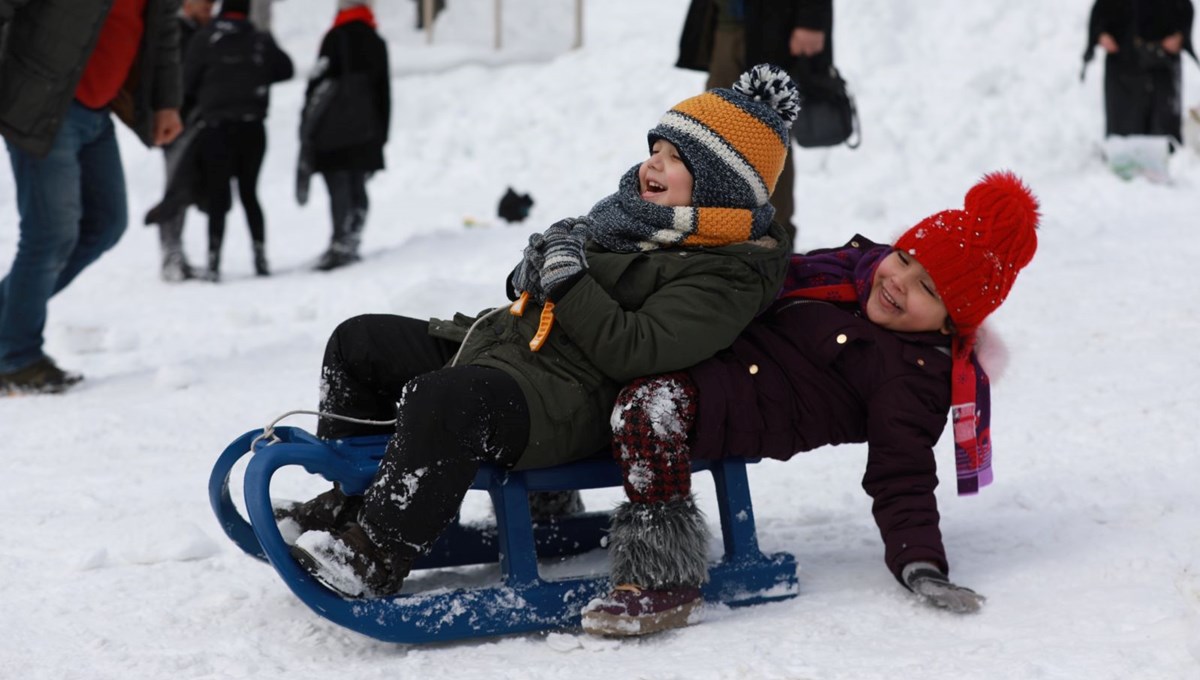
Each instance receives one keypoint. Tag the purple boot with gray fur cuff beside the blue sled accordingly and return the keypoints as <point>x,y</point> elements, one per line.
<point>659,562</point>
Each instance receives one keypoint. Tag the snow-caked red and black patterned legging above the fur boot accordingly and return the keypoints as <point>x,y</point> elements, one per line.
<point>651,424</point>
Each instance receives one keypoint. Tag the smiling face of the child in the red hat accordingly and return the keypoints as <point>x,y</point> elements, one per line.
<point>904,297</point>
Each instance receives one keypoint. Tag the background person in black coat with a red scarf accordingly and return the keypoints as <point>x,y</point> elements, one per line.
<point>352,50</point>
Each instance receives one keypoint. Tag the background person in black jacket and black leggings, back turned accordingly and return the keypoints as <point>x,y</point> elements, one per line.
<point>227,71</point>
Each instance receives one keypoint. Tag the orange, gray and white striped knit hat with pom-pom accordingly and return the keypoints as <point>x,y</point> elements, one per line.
<point>735,141</point>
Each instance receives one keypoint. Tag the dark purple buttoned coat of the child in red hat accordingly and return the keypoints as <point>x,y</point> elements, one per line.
<point>811,374</point>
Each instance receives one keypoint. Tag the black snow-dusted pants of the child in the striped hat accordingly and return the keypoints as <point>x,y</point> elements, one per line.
<point>448,422</point>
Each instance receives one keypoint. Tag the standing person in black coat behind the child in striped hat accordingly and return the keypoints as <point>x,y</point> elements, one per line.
<point>725,38</point>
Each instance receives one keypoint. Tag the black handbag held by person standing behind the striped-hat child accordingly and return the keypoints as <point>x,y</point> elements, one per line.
<point>827,117</point>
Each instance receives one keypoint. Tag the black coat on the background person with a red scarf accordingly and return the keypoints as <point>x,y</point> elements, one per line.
<point>355,47</point>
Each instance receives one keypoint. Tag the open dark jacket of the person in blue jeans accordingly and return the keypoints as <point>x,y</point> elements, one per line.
<point>46,45</point>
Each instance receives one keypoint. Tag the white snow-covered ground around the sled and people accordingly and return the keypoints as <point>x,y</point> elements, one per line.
<point>1088,546</point>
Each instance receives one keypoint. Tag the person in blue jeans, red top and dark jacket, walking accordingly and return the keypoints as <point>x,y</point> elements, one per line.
<point>65,67</point>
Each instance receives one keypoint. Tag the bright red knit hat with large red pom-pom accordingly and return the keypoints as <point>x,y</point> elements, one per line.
<point>975,255</point>
